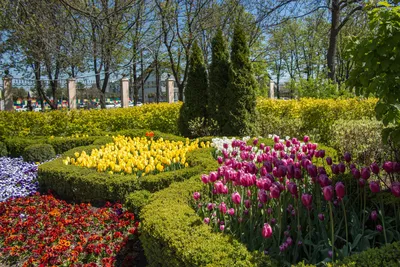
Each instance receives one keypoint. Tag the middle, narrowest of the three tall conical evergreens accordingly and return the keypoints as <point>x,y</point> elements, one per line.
<point>218,107</point>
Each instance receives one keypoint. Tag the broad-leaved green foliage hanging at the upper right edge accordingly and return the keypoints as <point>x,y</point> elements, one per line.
<point>376,71</point>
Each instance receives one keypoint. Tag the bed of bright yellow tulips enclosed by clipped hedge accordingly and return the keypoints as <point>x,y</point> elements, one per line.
<point>139,155</point>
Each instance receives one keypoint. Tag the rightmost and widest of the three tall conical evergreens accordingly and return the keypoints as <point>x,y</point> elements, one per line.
<point>241,88</point>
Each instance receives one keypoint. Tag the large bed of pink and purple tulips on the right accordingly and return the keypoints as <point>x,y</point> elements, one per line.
<point>276,201</point>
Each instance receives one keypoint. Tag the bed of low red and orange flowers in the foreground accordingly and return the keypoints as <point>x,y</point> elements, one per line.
<point>41,230</point>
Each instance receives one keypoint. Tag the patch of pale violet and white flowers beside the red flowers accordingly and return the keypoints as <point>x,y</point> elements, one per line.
<point>17,178</point>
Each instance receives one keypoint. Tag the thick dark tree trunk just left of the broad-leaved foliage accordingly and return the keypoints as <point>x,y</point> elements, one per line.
<point>335,20</point>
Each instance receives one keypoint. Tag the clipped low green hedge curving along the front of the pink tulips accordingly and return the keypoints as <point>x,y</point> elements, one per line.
<point>172,234</point>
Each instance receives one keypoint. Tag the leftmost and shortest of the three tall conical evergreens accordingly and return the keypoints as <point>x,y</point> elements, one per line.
<point>195,105</point>
